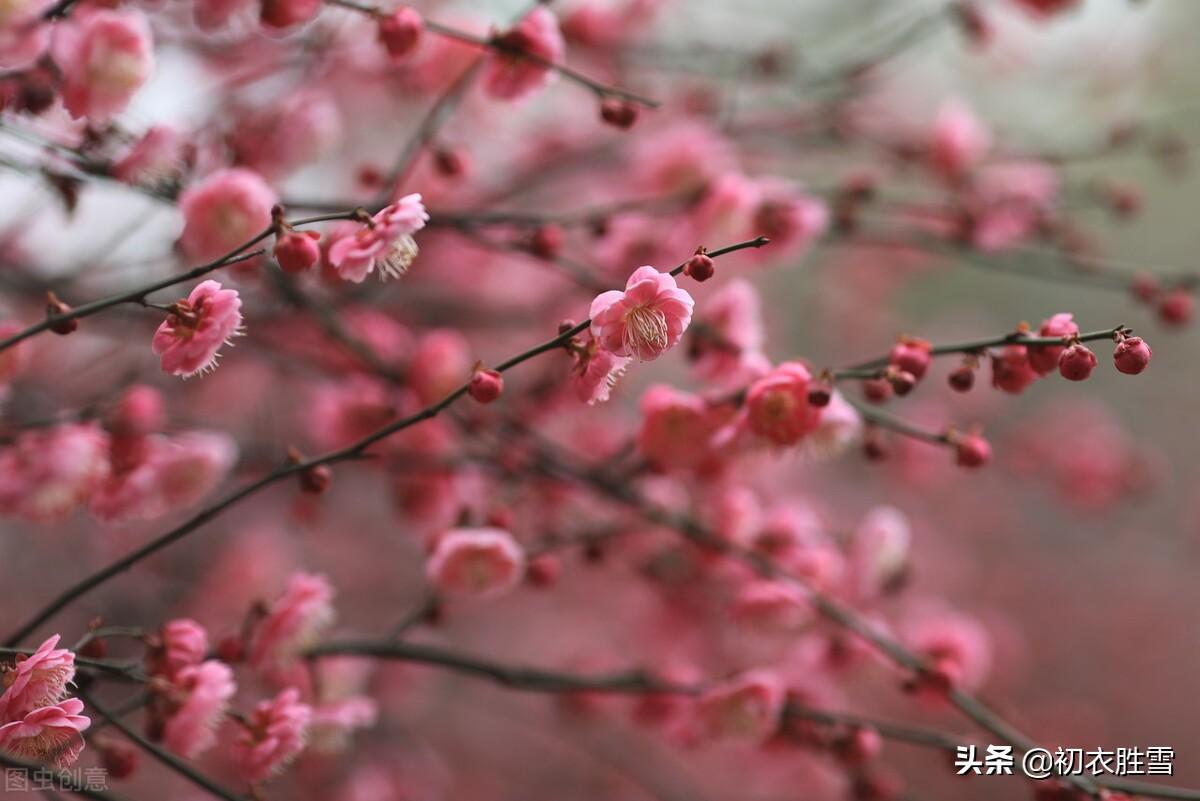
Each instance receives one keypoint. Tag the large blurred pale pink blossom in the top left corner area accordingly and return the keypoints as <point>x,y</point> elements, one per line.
<point>106,57</point>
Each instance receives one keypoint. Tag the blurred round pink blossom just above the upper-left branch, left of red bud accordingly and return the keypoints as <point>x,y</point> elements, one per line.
<point>225,212</point>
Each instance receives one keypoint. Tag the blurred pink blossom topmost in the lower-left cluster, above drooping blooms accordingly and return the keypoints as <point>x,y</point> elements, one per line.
<point>293,623</point>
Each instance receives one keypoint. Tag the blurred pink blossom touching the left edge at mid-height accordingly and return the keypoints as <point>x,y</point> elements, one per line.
<point>47,473</point>
